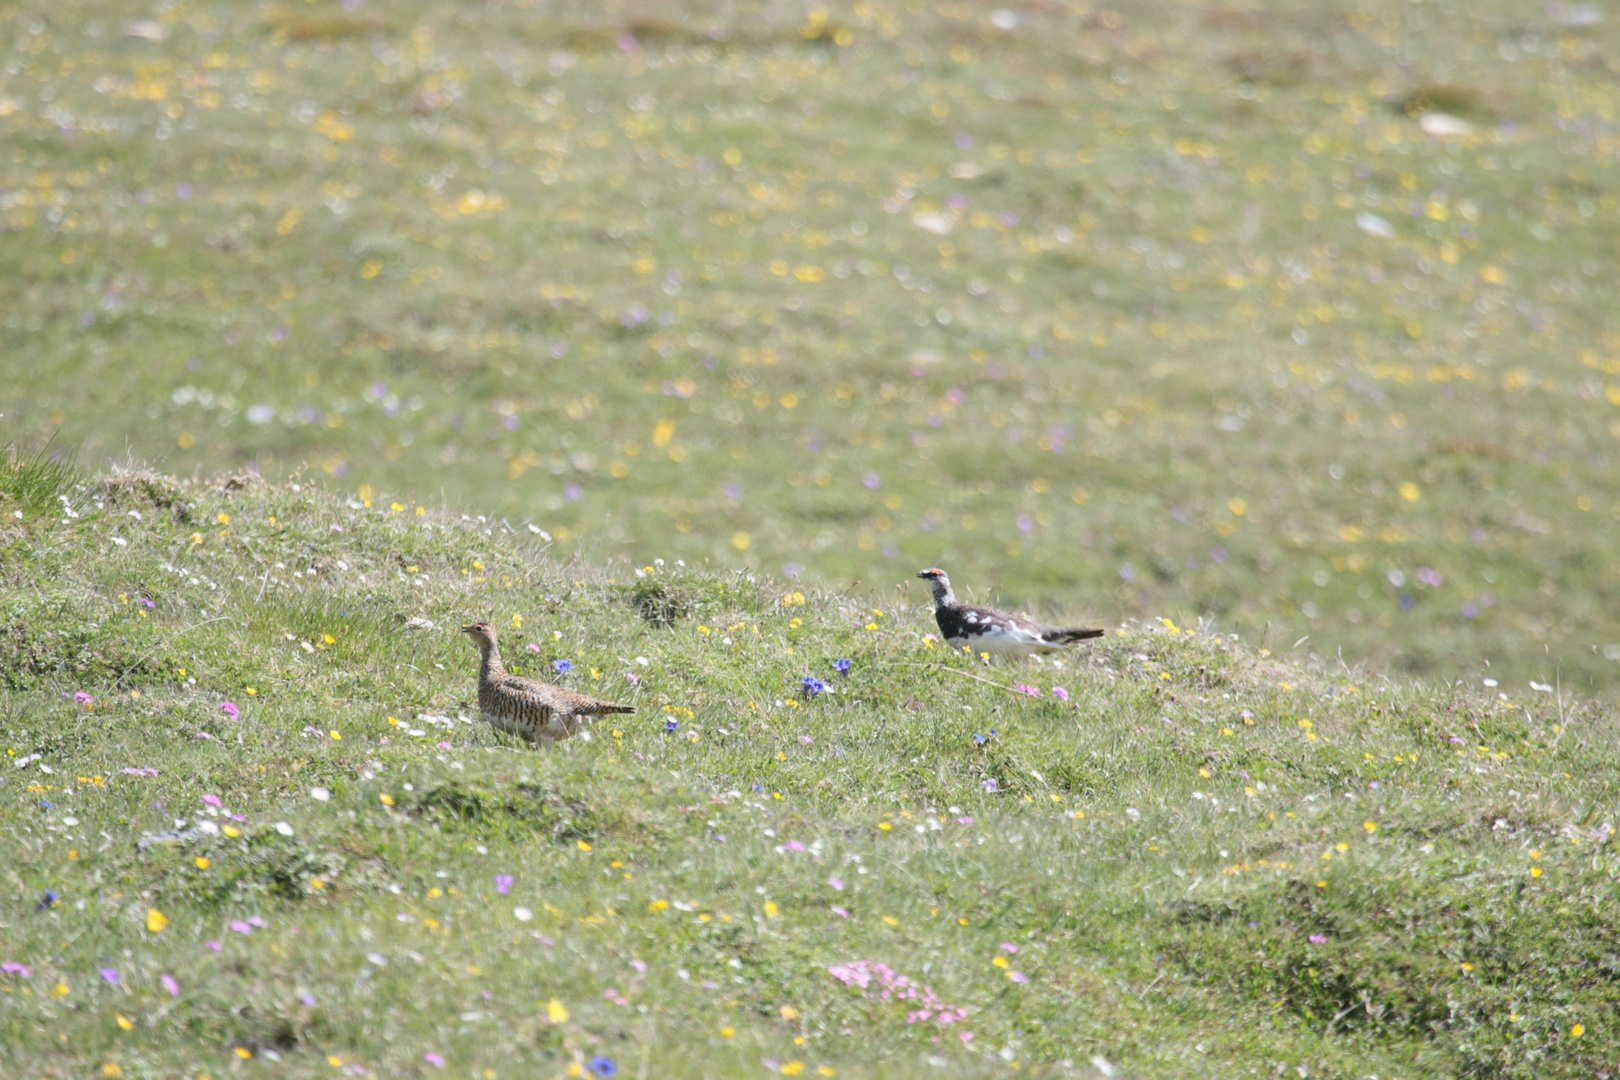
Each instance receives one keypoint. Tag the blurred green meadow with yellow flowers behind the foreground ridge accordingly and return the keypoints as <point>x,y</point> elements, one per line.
<point>1300,317</point>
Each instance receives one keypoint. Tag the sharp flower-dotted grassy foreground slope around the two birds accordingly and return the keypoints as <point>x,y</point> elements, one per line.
<point>1209,861</point>
